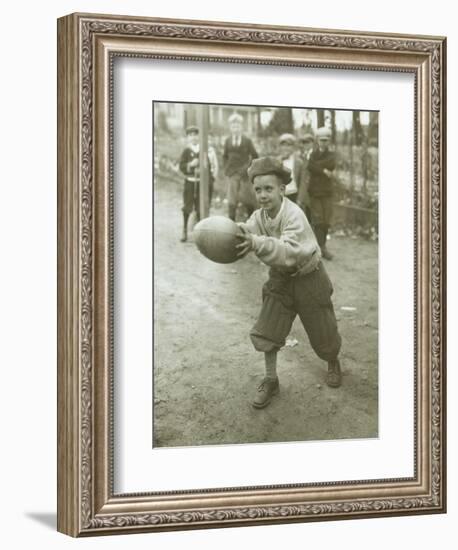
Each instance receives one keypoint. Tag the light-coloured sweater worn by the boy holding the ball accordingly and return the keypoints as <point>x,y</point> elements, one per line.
<point>286,242</point>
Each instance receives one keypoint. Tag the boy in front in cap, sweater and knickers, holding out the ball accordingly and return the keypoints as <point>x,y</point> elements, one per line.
<point>281,237</point>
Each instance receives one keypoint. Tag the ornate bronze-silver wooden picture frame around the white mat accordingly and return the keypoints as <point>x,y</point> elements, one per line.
<point>87,44</point>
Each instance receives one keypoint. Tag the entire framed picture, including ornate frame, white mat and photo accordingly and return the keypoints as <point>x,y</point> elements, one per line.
<point>251,301</point>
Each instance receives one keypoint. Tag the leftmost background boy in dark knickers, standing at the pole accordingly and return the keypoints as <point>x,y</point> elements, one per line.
<point>189,167</point>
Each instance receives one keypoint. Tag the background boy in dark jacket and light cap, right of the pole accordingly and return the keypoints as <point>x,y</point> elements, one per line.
<point>238,153</point>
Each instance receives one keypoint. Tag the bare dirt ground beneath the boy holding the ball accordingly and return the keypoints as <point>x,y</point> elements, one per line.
<point>206,370</point>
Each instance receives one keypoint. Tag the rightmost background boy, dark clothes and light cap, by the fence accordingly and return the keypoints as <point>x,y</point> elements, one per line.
<point>321,165</point>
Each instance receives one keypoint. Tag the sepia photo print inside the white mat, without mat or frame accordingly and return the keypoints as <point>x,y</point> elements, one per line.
<point>265,287</point>
